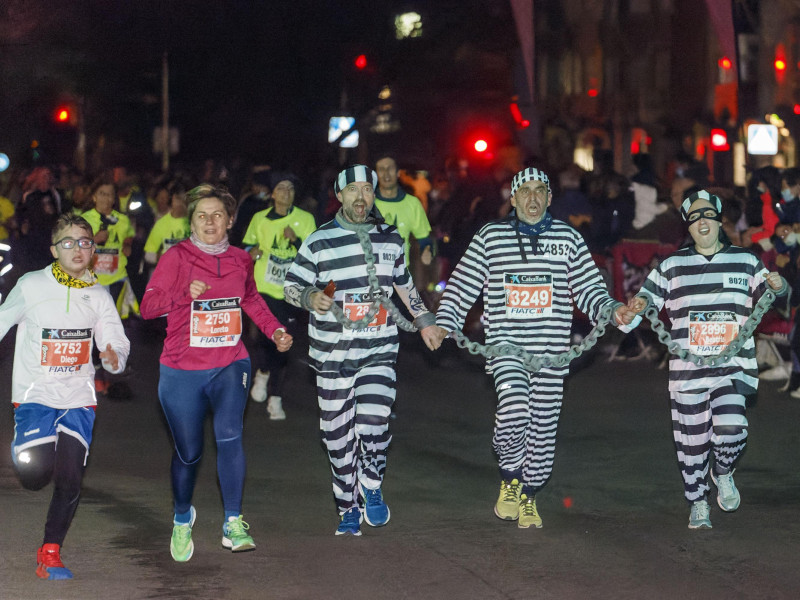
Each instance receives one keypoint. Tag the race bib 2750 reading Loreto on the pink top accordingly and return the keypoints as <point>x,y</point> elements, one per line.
<point>215,323</point>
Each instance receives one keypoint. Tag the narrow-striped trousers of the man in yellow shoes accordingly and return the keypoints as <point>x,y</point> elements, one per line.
<point>528,407</point>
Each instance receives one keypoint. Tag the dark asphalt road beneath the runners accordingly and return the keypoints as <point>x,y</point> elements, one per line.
<point>614,515</point>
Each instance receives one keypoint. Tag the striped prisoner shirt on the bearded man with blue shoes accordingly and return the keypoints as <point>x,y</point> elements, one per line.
<point>334,254</point>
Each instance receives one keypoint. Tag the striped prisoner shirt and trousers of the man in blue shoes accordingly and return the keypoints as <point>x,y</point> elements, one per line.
<point>355,368</point>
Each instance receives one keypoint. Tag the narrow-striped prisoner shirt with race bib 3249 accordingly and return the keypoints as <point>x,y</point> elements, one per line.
<point>528,296</point>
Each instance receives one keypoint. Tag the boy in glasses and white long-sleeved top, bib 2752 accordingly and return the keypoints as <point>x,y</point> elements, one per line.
<point>59,310</point>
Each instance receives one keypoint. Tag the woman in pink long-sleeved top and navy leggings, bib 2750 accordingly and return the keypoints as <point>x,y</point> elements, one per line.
<point>201,285</point>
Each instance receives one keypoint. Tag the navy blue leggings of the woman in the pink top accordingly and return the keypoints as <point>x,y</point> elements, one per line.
<point>186,398</point>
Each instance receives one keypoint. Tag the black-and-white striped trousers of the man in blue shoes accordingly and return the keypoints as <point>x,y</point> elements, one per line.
<point>354,423</point>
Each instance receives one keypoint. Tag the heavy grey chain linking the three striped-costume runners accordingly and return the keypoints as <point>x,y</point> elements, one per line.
<point>533,362</point>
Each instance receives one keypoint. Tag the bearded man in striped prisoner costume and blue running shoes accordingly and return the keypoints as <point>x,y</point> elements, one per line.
<point>355,368</point>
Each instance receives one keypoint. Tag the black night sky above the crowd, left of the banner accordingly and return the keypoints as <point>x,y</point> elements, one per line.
<point>254,78</point>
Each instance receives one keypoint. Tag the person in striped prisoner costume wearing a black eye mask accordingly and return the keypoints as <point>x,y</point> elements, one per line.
<point>708,290</point>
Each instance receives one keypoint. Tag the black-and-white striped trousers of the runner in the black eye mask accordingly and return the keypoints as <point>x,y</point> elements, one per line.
<point>702,421</point>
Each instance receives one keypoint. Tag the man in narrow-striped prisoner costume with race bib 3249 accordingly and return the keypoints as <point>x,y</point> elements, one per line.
<point>530,269</point>
